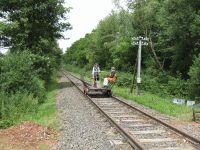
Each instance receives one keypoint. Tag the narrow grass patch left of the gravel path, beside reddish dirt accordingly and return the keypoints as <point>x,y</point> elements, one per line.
<point>46,114</point>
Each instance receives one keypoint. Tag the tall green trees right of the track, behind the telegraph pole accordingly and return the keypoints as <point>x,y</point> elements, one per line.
<point>171,61</point>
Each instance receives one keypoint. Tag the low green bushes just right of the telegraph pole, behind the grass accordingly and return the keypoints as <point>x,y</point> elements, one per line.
<point>162,83</point>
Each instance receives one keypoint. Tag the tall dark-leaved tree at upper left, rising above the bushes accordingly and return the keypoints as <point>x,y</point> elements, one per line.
<point>35,26</point>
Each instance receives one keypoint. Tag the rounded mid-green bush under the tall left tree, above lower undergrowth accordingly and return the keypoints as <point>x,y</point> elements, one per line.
<point>17,74</point>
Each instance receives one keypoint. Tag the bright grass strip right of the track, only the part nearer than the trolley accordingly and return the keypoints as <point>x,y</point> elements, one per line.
<point>160,104</point>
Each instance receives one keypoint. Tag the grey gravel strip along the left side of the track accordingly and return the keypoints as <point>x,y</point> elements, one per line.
<point>83,127</point>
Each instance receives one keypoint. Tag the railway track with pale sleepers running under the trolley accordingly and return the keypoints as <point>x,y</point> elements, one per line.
<point>141,130</point>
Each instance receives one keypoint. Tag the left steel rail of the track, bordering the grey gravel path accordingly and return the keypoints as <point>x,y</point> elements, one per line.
<point>133,142</point>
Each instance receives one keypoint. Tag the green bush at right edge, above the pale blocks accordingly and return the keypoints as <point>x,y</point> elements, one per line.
<point>194,80</point>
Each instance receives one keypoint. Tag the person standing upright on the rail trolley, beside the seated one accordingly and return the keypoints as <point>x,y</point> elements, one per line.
<point>95,74</point>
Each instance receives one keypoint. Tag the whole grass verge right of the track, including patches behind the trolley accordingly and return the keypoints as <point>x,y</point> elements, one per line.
<point>159,103</point>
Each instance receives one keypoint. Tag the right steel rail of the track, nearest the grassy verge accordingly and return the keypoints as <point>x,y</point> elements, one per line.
<point>189,137</point>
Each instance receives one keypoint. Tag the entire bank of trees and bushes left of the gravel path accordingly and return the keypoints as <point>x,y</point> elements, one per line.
<point>30,29</point>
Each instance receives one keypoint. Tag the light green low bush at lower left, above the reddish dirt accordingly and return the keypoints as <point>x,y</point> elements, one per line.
<point>14,106</point>
